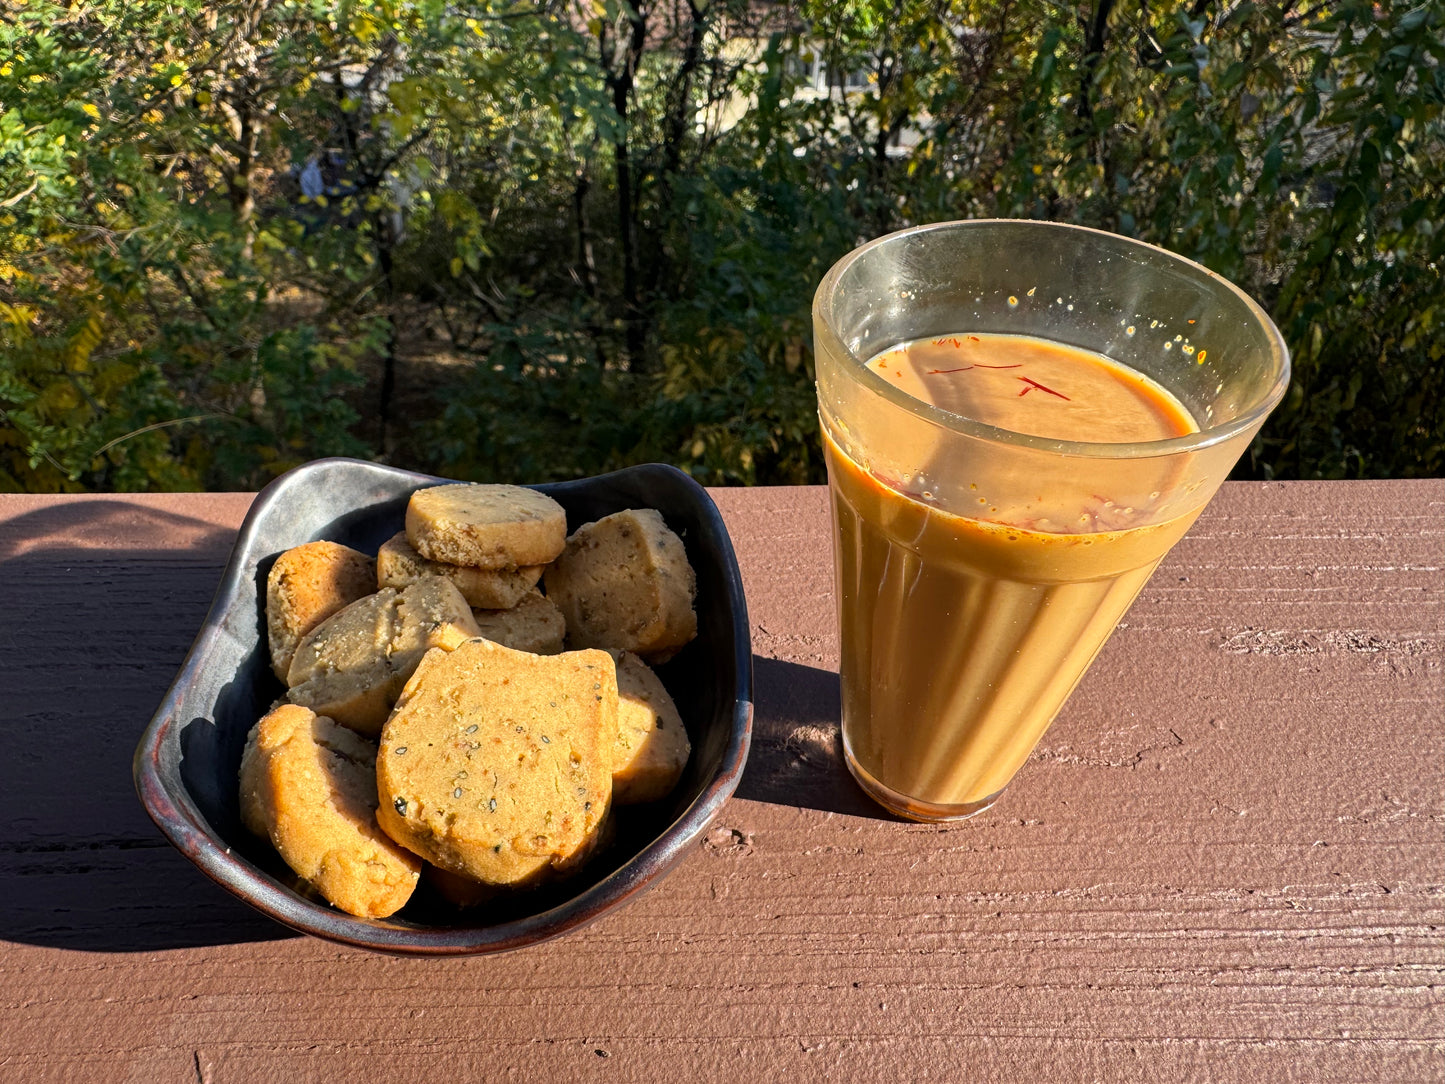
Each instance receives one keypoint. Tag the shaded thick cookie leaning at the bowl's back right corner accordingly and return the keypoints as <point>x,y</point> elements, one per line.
<point>625,583</point>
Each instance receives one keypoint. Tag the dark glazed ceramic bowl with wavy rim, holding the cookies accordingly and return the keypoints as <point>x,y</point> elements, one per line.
<point>189,760</point>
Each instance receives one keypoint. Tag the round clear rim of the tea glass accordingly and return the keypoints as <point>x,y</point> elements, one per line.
<point>1100,450</point>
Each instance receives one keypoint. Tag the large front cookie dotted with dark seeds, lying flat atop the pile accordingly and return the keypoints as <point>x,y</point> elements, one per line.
<point>498,764</point>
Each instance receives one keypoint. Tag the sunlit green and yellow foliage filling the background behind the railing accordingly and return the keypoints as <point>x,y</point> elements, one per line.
<point>232,233</point>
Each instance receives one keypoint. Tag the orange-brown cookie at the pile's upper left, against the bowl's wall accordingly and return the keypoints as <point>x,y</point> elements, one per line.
<point>306,588</point>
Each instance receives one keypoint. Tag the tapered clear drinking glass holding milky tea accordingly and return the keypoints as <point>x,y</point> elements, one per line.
<point>979,572</point>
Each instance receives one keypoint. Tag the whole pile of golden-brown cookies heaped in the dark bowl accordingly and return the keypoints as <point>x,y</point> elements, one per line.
<point>508,722</point>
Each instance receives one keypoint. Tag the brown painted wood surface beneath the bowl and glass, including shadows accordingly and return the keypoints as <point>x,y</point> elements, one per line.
<point>1225,862</point>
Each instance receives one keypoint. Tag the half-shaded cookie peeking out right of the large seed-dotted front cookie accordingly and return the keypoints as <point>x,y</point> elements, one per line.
<point>652,744</point>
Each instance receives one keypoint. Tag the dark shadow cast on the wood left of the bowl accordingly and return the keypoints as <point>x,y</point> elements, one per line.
<point>96,638</point>
